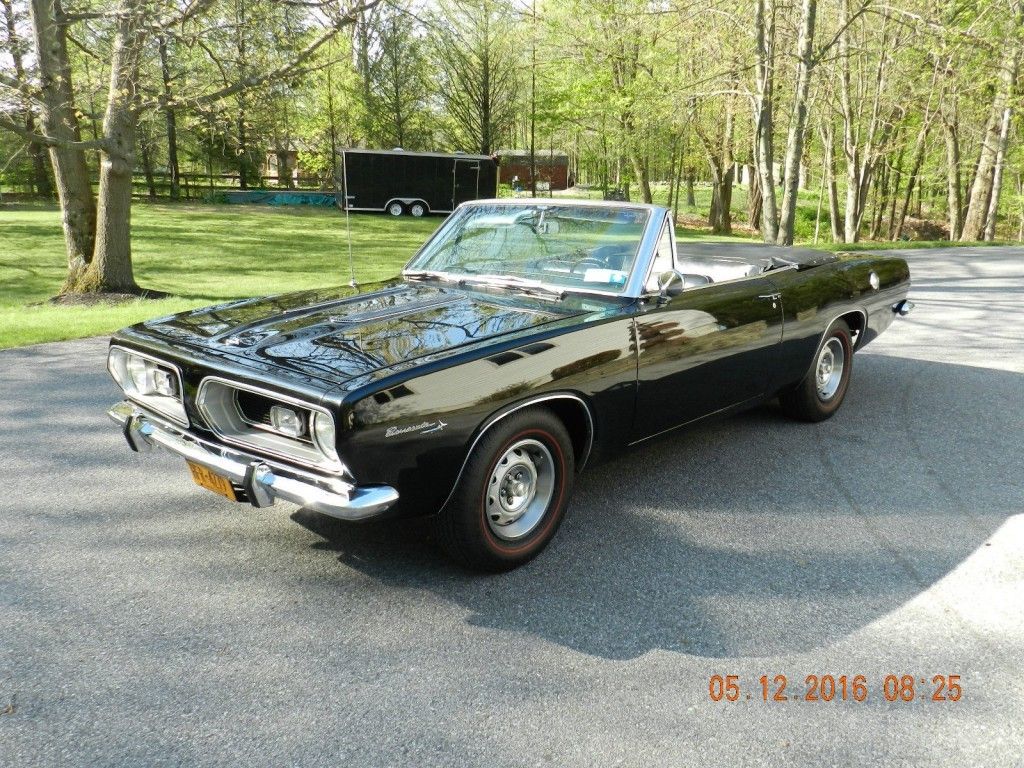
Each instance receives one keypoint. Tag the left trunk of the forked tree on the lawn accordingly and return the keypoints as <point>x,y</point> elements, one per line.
<point>60,121</point>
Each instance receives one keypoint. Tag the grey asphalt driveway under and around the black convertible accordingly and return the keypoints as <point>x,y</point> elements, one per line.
<point>147,622</point>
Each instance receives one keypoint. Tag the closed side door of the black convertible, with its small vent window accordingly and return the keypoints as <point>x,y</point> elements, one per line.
<point>704,351</point>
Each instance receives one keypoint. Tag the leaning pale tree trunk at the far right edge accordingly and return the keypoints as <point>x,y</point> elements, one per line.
<point>985,194</point>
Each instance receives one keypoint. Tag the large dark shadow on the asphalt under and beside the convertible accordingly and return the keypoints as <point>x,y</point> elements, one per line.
<point>750,537</point>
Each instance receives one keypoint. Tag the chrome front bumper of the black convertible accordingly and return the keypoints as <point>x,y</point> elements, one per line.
<point>262,482</point>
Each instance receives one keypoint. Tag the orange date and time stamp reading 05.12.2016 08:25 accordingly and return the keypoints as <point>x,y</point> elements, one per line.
<point>895,689</point>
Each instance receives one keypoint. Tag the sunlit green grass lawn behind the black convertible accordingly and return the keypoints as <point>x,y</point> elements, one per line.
<point>205,254</point>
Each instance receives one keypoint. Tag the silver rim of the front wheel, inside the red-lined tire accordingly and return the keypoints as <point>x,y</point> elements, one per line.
<point>520,490</point>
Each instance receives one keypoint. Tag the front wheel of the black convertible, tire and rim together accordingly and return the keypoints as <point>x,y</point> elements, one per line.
<point>513,494</point>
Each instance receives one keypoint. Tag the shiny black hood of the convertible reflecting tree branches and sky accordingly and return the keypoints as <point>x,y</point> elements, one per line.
<point>334,336</point>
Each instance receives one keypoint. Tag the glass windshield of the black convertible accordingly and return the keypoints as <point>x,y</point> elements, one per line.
<point>561,247</point>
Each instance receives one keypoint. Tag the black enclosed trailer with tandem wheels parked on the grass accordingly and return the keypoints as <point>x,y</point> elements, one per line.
<point>414,183</point>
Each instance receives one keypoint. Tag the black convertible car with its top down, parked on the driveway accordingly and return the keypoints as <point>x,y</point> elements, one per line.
<point>526,340</point>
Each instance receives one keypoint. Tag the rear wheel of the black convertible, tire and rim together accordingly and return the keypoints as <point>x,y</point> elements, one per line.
<point>823,391</point>
